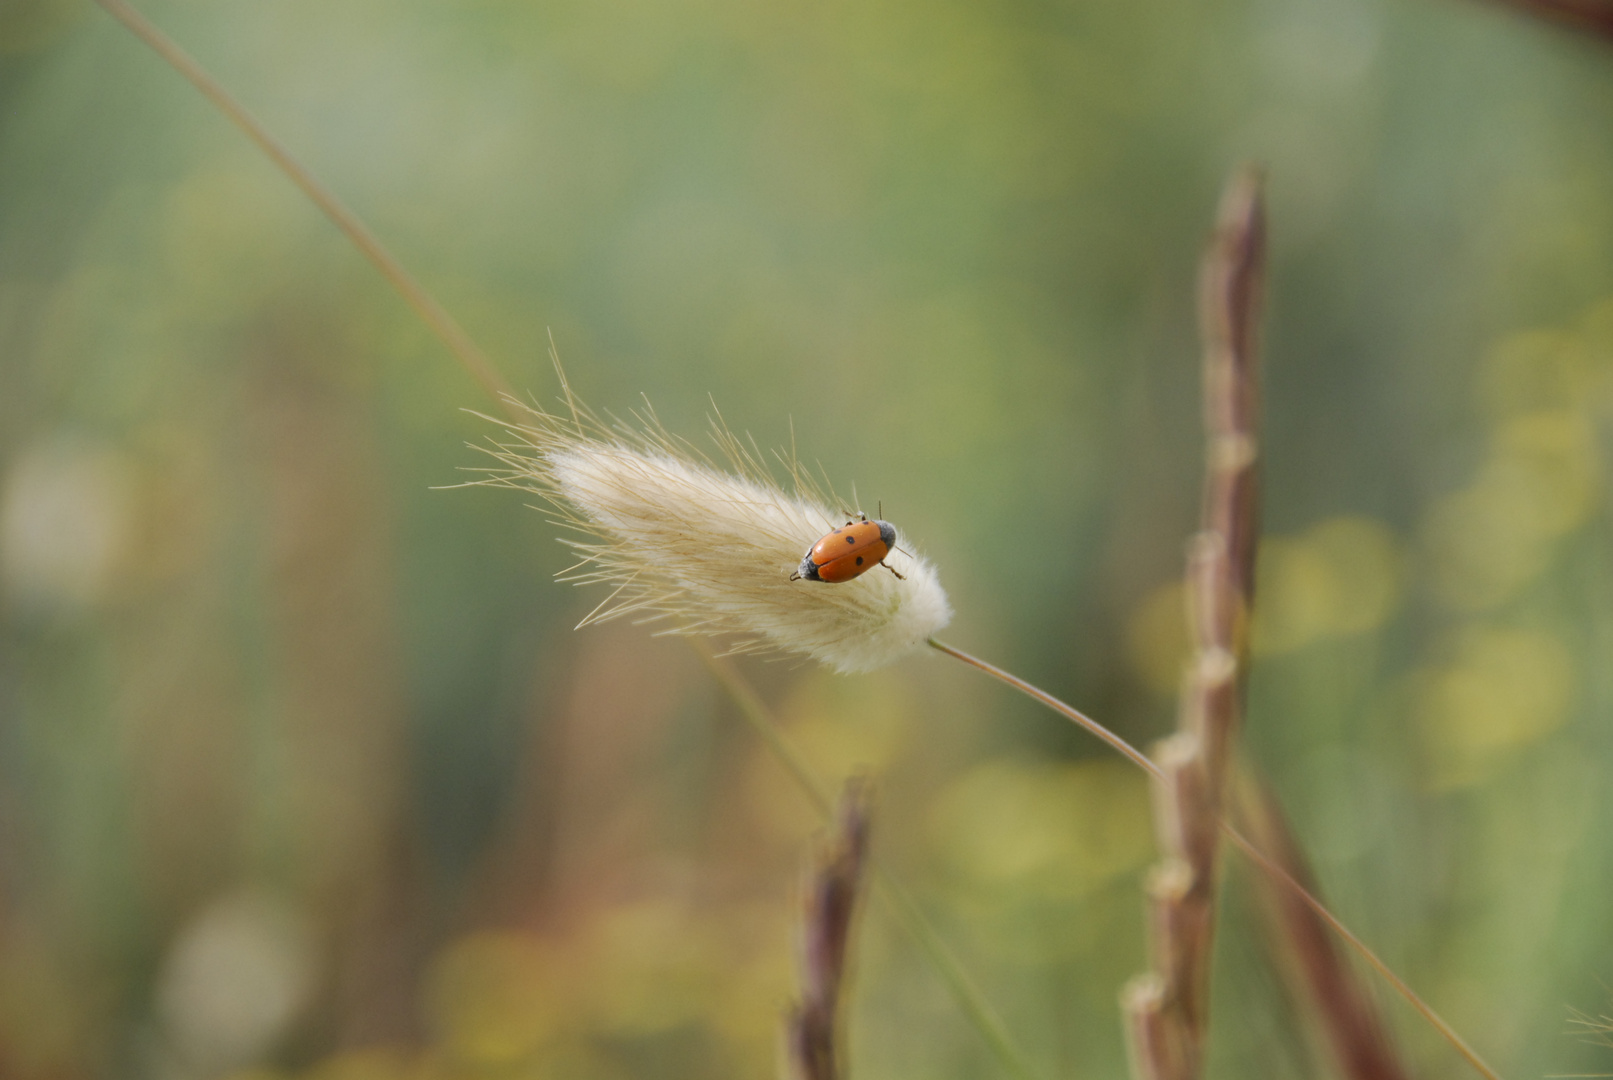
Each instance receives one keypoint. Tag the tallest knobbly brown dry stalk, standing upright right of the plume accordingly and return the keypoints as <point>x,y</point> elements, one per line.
<point>1169,1010</point>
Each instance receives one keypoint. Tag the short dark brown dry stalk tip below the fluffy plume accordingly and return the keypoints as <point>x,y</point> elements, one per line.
<point>812,1042</point>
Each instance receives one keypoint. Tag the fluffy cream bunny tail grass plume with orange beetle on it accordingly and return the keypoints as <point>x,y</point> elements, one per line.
<point>711,550</point>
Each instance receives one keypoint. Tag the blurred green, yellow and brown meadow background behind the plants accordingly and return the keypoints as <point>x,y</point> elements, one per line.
<point>304,771</point>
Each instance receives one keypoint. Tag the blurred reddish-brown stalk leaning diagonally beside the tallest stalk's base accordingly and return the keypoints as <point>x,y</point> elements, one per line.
<point>1341,1005</point>
